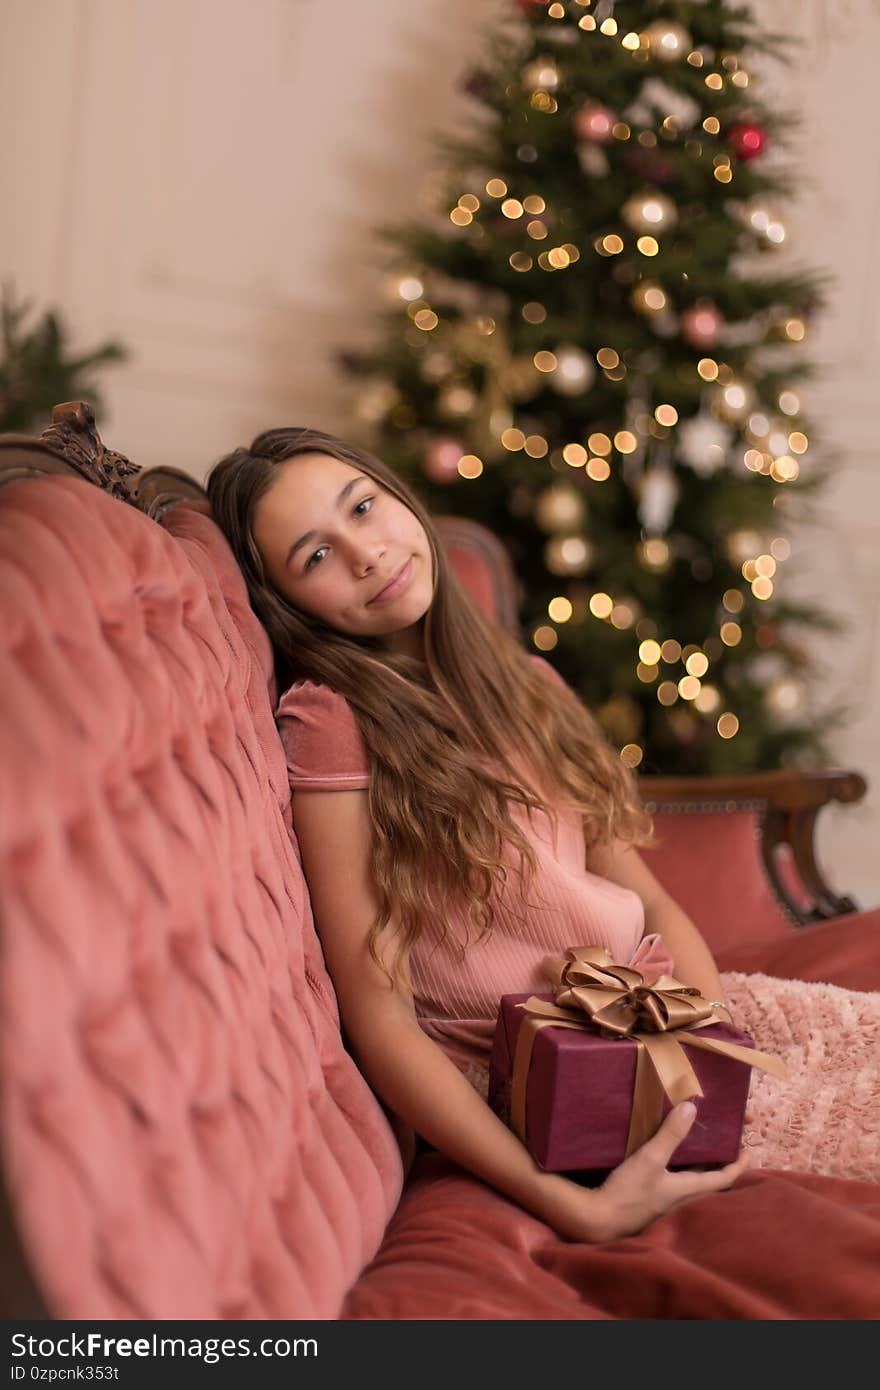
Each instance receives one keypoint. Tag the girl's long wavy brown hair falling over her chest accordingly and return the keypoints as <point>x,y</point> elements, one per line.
<point>453,743</point>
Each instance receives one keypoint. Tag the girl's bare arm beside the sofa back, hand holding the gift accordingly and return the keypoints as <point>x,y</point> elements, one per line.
<point>419,1082</point>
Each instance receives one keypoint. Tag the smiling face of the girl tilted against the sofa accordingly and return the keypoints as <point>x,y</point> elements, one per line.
<point>341,548</point>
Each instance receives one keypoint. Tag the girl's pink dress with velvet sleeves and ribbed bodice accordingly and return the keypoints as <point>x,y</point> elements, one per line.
<point>457,993</point>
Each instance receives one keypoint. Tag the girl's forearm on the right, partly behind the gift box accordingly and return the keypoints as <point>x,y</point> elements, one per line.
<point>694,965</point>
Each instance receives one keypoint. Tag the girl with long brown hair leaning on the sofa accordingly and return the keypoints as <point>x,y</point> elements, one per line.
<point>458,811</point>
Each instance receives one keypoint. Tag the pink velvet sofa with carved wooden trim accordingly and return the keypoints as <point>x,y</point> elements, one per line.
<point>183,1131</point>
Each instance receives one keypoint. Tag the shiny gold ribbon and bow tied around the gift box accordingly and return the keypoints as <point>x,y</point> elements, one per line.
<point>594,995</point>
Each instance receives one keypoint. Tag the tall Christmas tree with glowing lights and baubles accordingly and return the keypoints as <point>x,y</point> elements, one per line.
<point>594,355</point>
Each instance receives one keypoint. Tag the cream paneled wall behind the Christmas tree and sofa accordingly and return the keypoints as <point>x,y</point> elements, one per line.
<point>201,179</point>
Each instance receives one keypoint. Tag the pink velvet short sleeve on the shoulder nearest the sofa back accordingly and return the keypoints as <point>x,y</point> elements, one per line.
<point>322,740</point>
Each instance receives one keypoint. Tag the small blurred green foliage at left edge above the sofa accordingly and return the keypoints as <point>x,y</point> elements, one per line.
<point>37,372</point>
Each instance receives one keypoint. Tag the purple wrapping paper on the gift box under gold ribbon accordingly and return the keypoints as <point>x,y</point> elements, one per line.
<point>580,1093</point>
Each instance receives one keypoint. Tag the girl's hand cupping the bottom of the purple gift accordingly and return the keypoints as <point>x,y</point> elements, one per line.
<point>643,1189</point>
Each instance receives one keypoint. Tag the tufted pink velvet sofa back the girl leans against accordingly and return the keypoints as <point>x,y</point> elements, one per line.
<point>183,1132</point>
